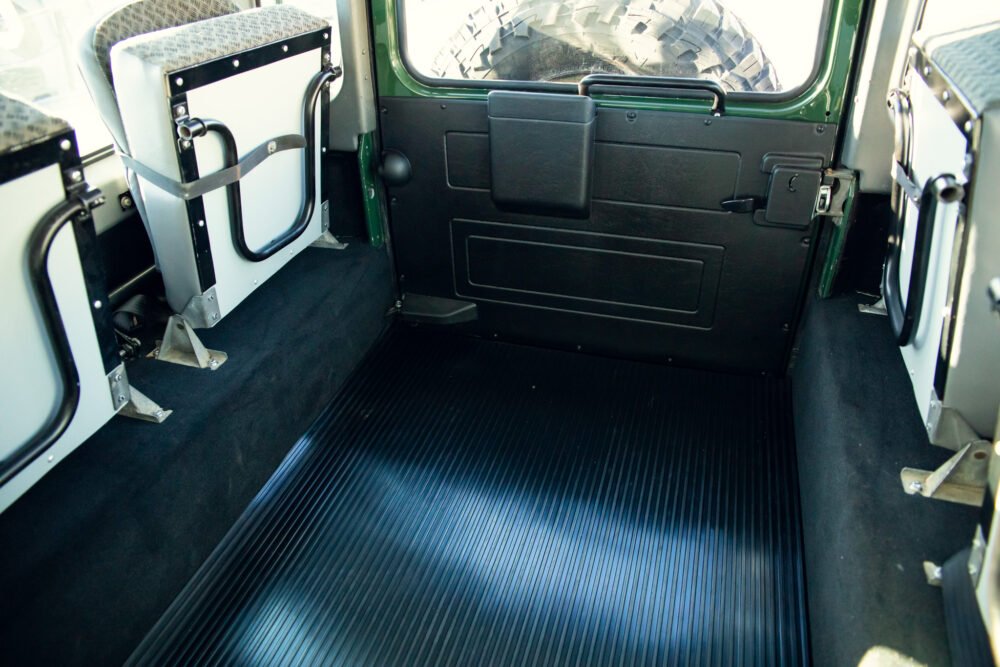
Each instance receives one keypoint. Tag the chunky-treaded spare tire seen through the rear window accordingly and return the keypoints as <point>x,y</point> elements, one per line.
<point>564,40</point>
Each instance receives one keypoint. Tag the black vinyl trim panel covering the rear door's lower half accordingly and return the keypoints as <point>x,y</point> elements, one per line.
<point>658,176</point>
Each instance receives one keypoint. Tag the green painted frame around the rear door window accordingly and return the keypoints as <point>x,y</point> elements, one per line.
<point>821,101</point>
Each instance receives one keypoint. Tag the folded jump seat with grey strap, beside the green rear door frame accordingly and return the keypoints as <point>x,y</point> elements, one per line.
<point>220,117</point>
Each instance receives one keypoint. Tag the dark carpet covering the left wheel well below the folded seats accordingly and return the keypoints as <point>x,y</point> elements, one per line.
<point>97,550</point>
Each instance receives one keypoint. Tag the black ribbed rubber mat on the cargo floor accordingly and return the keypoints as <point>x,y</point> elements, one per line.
<point>470,503</point>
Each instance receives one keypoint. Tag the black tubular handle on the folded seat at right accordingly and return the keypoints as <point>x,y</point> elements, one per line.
<point>905,319</point>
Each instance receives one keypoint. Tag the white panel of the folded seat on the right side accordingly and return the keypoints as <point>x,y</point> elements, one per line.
<point>938,148</point>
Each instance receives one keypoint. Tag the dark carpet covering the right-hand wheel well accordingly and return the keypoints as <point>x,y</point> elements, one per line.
<point>857,425</point>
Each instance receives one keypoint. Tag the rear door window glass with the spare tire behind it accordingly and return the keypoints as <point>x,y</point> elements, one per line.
<point>748,45</point>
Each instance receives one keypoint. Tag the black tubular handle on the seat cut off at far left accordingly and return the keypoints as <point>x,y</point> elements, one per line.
<point>39,245</point>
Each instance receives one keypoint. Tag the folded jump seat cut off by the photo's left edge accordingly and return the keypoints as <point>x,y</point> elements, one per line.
<point>63,377</point>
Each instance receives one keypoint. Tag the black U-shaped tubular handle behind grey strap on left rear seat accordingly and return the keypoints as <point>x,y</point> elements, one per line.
<point>196,127</point>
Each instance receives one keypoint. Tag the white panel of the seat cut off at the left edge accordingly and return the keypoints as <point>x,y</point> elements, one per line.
<point>29,392</point>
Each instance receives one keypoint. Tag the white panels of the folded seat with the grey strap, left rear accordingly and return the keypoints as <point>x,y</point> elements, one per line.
<point>256,105</point>
